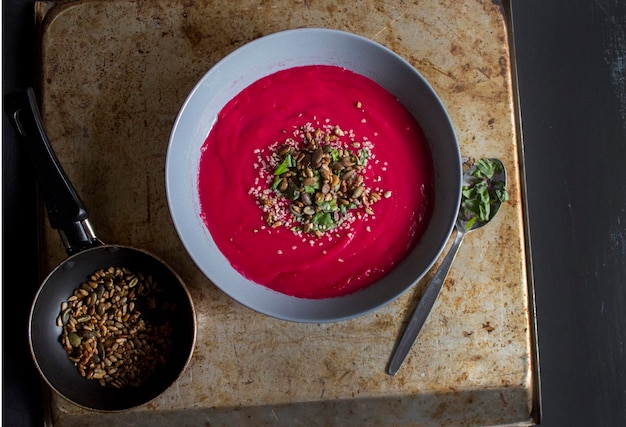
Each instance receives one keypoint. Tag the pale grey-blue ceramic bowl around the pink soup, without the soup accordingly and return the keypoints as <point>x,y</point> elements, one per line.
<point>264,56</point>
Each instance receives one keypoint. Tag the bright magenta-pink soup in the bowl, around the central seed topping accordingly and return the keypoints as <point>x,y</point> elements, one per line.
<point>252,223</point>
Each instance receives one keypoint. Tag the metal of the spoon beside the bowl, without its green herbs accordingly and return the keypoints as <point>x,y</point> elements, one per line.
<point>463,226</point>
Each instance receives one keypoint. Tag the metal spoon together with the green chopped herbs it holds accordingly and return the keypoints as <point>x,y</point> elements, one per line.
<point>491,179</point>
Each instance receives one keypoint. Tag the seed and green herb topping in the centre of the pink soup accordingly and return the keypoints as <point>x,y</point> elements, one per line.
<point>316,181</point>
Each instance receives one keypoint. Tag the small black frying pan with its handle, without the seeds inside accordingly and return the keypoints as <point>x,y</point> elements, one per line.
<point>86,255</point>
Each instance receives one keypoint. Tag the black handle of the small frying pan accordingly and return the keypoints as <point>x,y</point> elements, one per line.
<point>66,212</point>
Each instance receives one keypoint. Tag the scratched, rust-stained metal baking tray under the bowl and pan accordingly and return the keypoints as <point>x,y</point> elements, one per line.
<point>113,76</point>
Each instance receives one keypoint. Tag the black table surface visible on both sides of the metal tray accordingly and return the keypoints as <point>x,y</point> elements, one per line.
<point>571,71</point>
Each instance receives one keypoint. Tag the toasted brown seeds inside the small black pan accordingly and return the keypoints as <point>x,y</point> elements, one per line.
<point>107,335</point>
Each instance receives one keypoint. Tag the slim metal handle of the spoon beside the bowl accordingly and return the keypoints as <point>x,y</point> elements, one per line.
<point>425,305</point>
